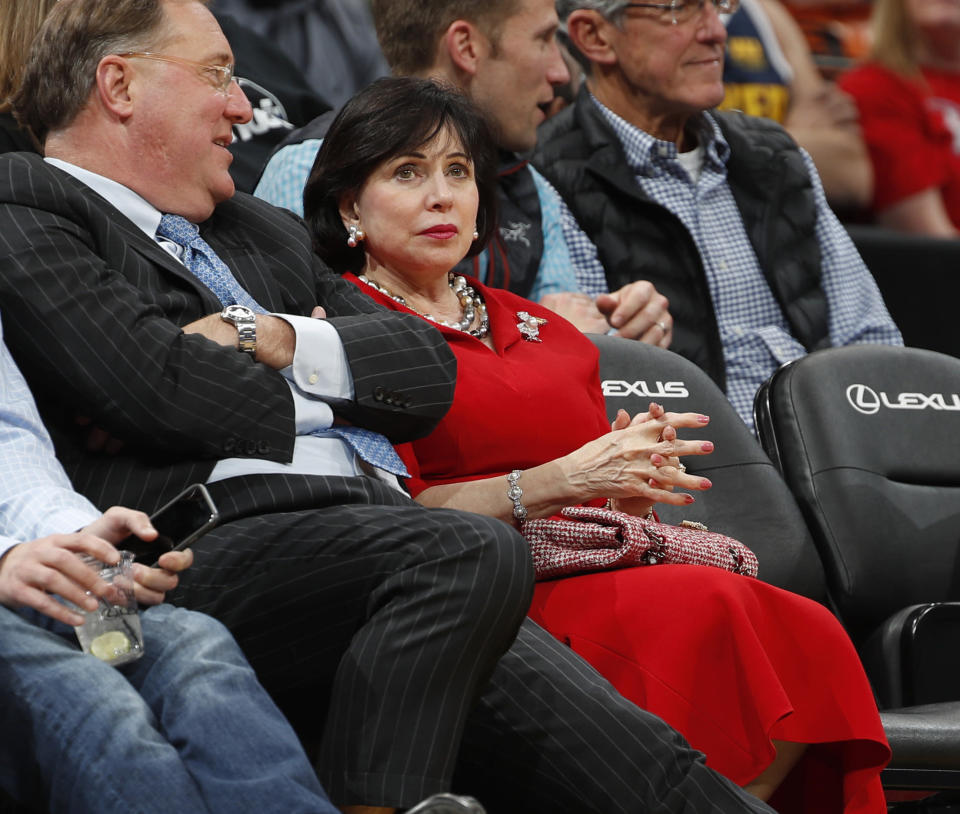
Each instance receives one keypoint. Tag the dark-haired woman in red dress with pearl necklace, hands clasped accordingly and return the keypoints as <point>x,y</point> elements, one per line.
<point>763,681</point>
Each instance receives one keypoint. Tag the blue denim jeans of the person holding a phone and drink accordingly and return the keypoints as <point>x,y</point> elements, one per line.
<point>186,728</point>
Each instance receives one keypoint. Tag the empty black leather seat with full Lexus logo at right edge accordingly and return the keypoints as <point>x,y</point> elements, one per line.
<point>868,439</point>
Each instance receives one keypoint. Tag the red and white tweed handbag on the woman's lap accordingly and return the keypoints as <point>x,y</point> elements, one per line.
<point>587,538</point>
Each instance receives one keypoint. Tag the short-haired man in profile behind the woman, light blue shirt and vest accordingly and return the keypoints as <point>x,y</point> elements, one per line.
<point>503,54</point>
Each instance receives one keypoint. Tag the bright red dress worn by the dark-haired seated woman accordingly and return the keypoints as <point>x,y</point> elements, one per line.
<point>731,662</point>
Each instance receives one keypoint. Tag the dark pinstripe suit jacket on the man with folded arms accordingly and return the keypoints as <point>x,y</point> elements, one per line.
<point>92,309</point>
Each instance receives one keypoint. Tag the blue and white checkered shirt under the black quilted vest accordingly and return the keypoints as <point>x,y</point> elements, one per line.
<point>755,334</point>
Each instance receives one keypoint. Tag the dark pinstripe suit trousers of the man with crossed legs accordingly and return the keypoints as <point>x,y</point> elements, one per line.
<point>404,618</point>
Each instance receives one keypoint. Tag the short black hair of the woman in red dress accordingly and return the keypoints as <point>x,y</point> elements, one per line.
<point>391,117</point>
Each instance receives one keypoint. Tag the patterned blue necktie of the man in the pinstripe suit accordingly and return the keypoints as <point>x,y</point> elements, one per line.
<point>202,261</point>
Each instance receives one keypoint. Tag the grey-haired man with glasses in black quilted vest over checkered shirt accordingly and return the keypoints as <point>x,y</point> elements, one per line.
<point>722,212</point>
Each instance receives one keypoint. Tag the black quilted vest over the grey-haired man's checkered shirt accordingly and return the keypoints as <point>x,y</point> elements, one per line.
<point>637,239</point>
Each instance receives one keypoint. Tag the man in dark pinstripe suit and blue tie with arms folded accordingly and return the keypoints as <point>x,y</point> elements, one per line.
<point>409,621</point>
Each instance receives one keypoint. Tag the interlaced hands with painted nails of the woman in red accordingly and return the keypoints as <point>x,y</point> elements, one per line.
<point>637,463</point>
